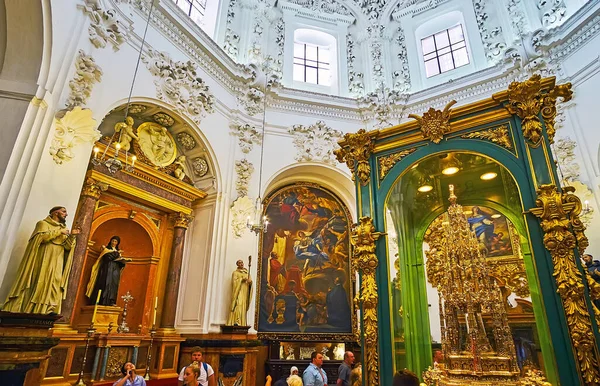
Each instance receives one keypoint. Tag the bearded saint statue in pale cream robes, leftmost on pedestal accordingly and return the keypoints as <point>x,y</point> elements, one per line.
<point>43,274</point>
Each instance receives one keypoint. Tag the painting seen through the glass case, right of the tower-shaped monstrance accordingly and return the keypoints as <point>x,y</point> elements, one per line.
<point>491,229</point>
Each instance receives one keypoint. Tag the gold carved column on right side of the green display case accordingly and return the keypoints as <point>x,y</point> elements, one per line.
<point>559,213</point>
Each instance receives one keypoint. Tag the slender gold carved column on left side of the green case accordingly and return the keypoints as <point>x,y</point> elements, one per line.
<point>365,261</point>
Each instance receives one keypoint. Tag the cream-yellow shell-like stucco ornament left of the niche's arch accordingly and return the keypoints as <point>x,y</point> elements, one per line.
<point>75,127</point>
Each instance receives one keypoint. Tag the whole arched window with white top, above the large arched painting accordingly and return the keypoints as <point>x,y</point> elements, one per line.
<point>315,58</point>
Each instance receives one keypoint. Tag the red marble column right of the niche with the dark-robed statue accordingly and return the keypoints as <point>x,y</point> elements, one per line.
<point>167,319</point>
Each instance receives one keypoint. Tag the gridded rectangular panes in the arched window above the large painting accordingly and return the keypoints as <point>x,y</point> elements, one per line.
<point>312,64</point>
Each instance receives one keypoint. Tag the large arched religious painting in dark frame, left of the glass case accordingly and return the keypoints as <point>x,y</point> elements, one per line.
<point>304,265</point>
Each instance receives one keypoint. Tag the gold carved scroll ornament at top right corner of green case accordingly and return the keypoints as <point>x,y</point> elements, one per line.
<point>525,99</point>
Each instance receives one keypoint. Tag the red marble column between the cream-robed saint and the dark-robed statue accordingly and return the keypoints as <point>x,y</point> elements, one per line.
<point>90,194</point>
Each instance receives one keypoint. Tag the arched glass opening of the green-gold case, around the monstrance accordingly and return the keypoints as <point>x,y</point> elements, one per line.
<point>490,202</point>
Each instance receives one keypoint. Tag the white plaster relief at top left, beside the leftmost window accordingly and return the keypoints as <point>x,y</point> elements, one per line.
<point>105,25</point>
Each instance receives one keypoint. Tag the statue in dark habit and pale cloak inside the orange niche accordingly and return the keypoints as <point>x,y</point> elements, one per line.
<point>106,273</point>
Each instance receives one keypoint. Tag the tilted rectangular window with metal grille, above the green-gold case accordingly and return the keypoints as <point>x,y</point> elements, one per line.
<point>444,51</point>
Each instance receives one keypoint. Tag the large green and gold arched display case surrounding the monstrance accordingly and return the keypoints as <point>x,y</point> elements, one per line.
<point>497,154</point>
